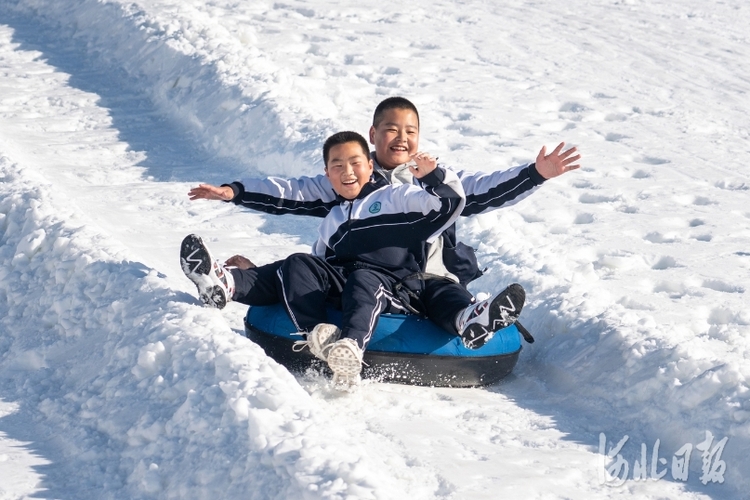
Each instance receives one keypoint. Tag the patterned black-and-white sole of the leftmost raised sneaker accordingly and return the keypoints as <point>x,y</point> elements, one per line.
<point>196,262</point>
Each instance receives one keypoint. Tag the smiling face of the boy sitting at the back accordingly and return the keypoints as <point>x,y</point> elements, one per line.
<point>396,137</point>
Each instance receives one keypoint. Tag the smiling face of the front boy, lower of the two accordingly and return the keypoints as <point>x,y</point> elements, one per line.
<point>348,169</point>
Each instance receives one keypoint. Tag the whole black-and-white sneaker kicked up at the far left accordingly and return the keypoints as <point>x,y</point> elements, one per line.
<point>215,284</point>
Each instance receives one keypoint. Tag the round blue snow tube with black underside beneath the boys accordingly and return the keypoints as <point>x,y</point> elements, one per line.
<point>404,349</point>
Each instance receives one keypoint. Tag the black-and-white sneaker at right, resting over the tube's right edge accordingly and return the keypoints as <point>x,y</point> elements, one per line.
<point>478,323</point>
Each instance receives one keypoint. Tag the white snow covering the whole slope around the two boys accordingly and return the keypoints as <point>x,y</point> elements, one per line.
<point>116,383</point>
